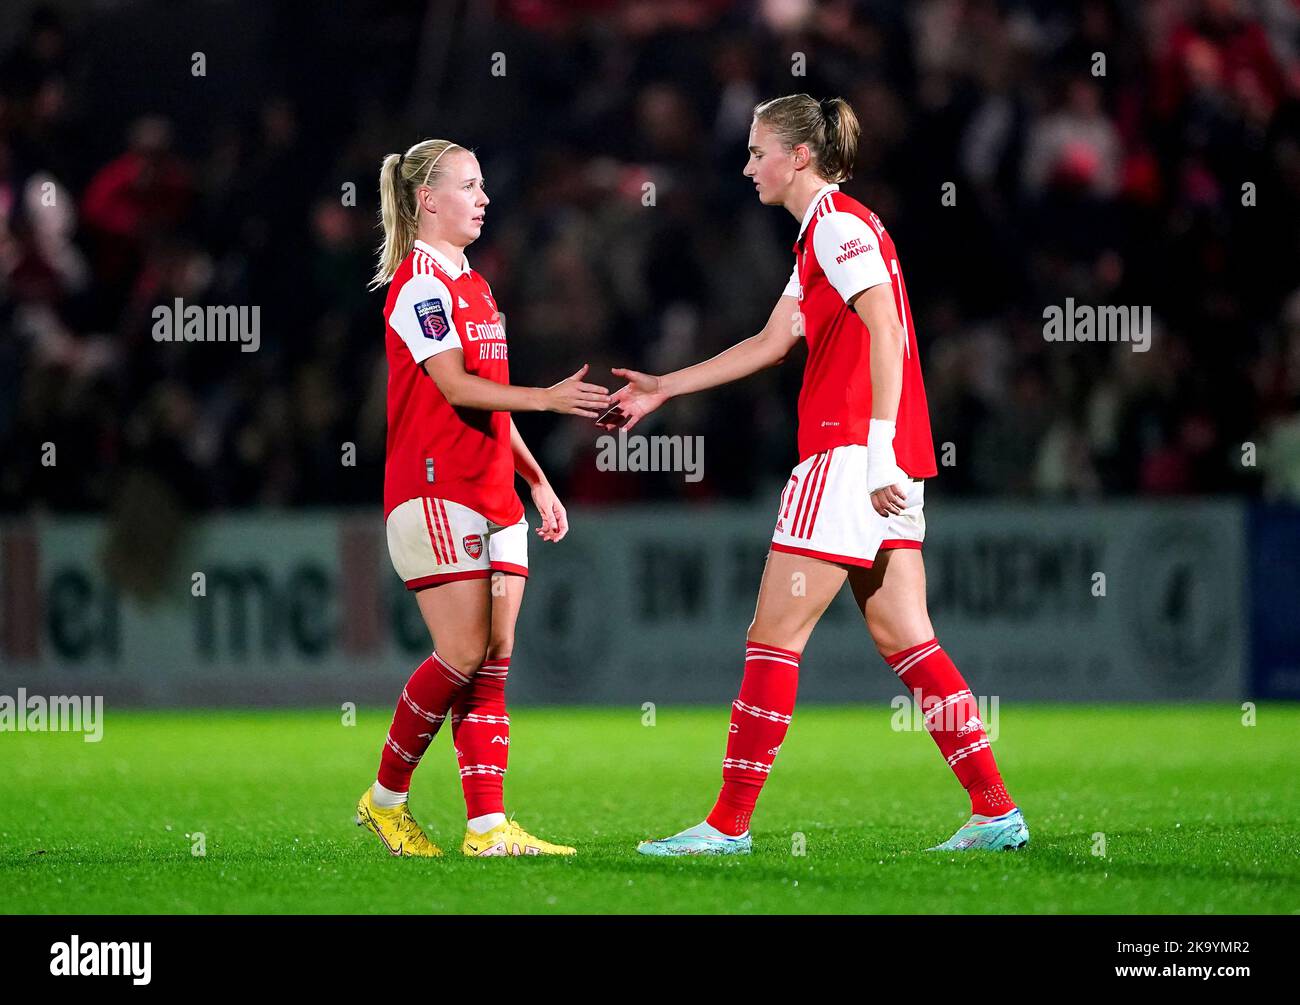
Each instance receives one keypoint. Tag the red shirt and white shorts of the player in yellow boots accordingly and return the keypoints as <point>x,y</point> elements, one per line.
<point>449,478</point>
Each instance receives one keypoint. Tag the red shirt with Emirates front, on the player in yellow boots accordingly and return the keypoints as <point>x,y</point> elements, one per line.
<point>434,449</point>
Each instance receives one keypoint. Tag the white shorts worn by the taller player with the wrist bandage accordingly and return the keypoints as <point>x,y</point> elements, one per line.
<point>826,512</point>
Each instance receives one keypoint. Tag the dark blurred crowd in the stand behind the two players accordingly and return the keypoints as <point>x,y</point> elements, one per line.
<point>228,154</point>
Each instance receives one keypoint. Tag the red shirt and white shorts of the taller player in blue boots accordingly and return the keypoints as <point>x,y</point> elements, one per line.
<point>826,512</point>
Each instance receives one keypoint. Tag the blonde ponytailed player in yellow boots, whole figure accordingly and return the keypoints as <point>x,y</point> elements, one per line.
<point>454,522</point>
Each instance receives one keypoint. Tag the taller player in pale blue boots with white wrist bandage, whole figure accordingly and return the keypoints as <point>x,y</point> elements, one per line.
<point>852,508</point>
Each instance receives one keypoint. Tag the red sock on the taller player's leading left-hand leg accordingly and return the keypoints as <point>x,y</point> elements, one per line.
<point>760,718</point>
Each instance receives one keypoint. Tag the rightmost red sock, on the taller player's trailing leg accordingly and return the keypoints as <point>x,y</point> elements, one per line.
<point>952,718</point>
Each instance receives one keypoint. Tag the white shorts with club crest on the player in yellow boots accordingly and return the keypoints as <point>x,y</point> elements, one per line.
<point>434,542</point>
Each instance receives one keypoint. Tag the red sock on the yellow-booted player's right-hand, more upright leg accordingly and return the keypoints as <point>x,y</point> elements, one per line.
<point>480,731</point>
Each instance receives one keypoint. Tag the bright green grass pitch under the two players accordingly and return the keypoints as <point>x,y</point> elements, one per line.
<point>1201,815</point>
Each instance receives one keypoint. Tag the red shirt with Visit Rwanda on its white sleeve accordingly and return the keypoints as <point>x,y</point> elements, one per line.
<point>844,249</point>
